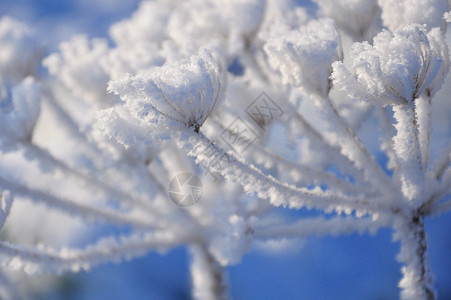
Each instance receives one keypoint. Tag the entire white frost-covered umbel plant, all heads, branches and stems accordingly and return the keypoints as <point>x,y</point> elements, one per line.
<point>100,137</point>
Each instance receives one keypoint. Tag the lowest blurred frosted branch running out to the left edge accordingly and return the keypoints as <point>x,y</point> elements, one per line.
<point>40,260</point>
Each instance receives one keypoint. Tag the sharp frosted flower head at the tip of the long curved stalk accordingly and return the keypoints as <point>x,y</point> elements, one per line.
<point>185,93</point>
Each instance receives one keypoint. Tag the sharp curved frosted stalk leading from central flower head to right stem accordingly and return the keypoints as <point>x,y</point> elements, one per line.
<point>254,180</point>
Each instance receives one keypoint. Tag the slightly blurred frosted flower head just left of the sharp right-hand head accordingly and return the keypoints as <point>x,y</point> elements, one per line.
<point>304,56</point>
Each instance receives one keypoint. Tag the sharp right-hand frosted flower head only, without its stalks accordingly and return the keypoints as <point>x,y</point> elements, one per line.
<point>398,68</point>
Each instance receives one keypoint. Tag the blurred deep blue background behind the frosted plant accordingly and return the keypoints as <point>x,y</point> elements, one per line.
<point>350,267</point>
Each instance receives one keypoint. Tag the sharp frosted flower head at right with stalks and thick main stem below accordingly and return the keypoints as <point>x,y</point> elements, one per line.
<point>404,69</point>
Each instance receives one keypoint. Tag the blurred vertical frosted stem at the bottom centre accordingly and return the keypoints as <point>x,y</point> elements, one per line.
<point>208,276</point>
